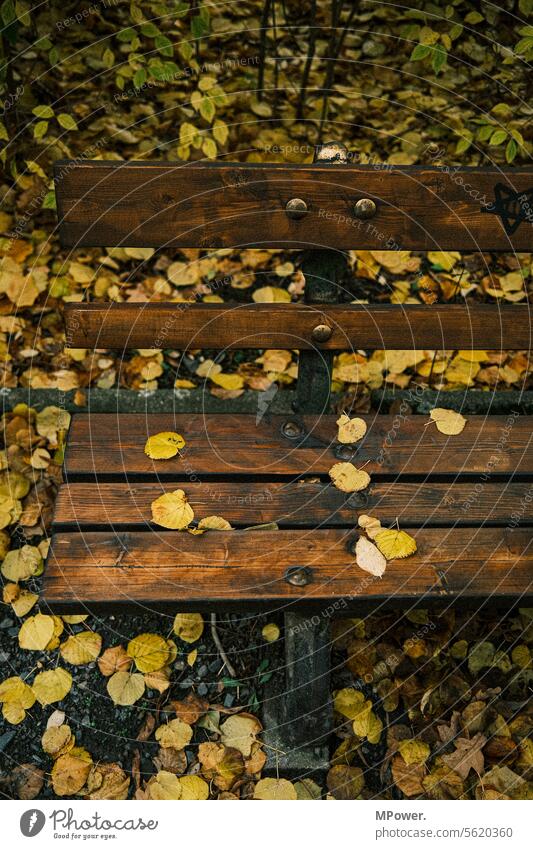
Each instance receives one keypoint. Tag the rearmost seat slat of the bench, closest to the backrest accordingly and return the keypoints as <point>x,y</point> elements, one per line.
<point>225,444</point>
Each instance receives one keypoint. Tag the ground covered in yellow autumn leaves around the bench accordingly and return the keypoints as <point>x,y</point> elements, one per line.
<point>426,705</point>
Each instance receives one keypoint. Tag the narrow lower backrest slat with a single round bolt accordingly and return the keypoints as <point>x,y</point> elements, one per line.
<point>354,326</point>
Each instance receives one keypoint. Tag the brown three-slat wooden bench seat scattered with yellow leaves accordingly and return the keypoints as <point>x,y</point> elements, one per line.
<point>458,496</point>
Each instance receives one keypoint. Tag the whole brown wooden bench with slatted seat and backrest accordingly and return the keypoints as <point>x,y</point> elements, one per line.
<point>106,554</point>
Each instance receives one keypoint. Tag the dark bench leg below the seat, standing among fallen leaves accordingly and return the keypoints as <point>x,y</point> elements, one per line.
<point>297,710</point>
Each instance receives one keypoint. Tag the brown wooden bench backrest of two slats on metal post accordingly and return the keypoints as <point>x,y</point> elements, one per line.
<point>327,207</point>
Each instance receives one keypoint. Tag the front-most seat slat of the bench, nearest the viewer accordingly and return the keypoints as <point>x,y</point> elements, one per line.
<point>246,569</point>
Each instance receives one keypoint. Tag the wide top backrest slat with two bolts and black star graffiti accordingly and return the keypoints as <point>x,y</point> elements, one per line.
<point>219,205</point>
